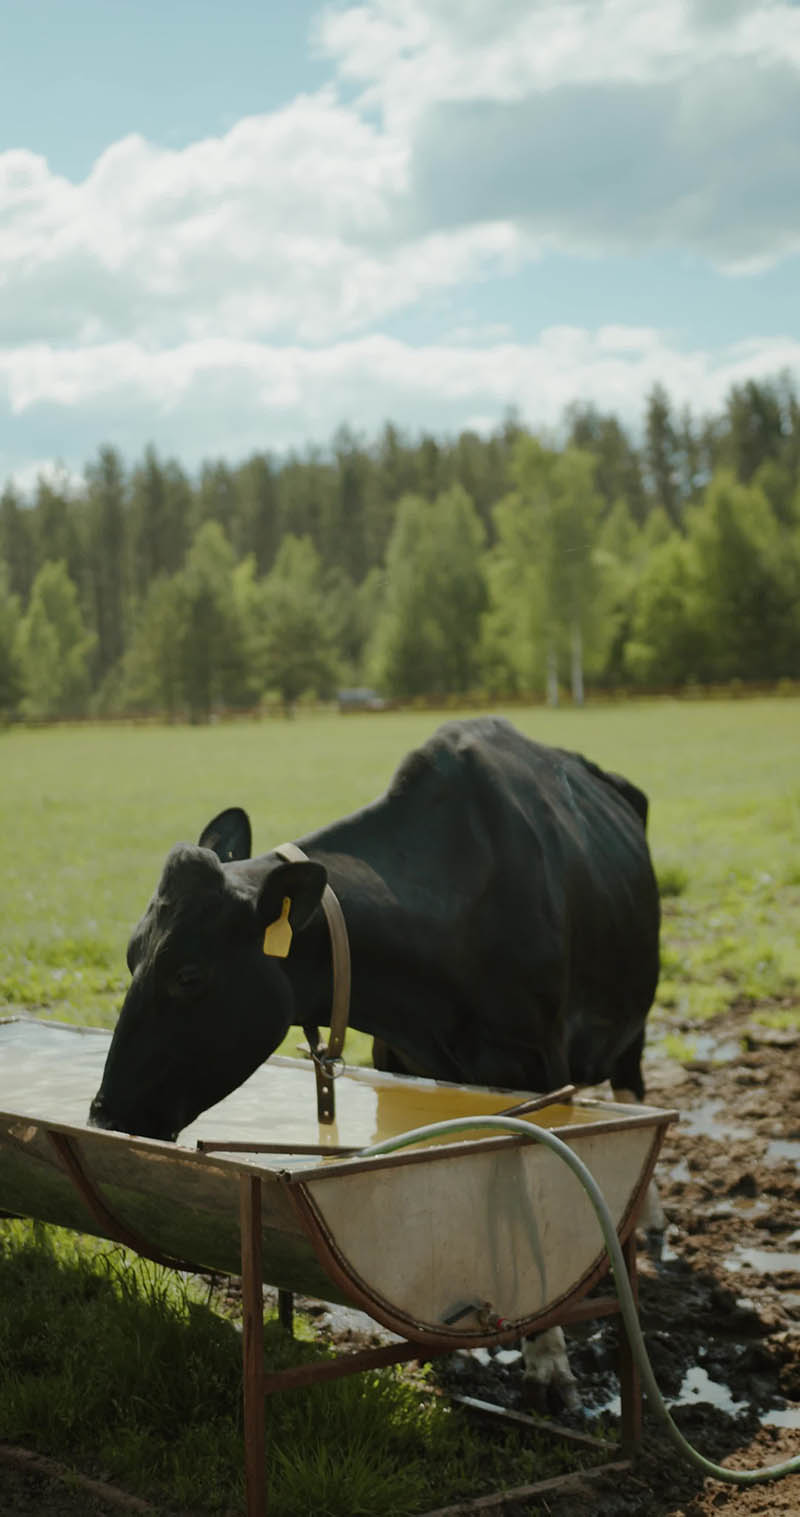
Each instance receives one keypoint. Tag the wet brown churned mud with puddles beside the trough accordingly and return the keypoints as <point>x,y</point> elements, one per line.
<point>720,1305</point>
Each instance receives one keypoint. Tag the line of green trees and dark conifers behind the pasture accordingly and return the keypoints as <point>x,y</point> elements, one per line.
<point>485,567</point>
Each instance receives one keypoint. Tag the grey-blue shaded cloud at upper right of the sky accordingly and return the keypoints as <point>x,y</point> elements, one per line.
<point>713,168</point>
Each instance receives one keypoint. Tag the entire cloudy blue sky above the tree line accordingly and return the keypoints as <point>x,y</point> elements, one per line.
<point>235,228</point>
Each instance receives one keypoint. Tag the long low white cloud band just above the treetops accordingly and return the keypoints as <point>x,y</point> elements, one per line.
<point>231,397</point>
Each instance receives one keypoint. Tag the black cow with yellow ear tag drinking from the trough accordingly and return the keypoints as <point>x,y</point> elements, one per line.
<point>503,919</point>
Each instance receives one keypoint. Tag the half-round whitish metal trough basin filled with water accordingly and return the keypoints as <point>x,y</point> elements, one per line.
<point>467,1242</point>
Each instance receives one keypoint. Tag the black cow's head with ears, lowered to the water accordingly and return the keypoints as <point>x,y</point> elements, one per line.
<point>207,1002</point>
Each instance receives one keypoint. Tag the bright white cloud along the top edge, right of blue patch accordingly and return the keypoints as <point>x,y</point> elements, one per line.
<point>411,54</point>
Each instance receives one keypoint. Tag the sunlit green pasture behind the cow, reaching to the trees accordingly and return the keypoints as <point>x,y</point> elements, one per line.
<point>90,812</point>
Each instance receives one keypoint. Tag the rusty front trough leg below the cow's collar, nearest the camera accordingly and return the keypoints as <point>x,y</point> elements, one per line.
<point>253,1346</point>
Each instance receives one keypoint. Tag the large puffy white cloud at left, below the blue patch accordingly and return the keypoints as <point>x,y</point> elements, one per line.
<point>291,225</point>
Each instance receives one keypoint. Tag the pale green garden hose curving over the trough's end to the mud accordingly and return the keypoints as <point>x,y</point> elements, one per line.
<point>514,1125</point>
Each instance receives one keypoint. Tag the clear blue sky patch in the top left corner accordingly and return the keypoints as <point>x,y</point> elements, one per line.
<point>80,75</point>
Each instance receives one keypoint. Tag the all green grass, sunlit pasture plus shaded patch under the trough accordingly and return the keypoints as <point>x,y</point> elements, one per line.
<point>128,1372</point>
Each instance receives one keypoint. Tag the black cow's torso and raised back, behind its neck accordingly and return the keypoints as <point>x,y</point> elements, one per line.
<point>523,875</point>
